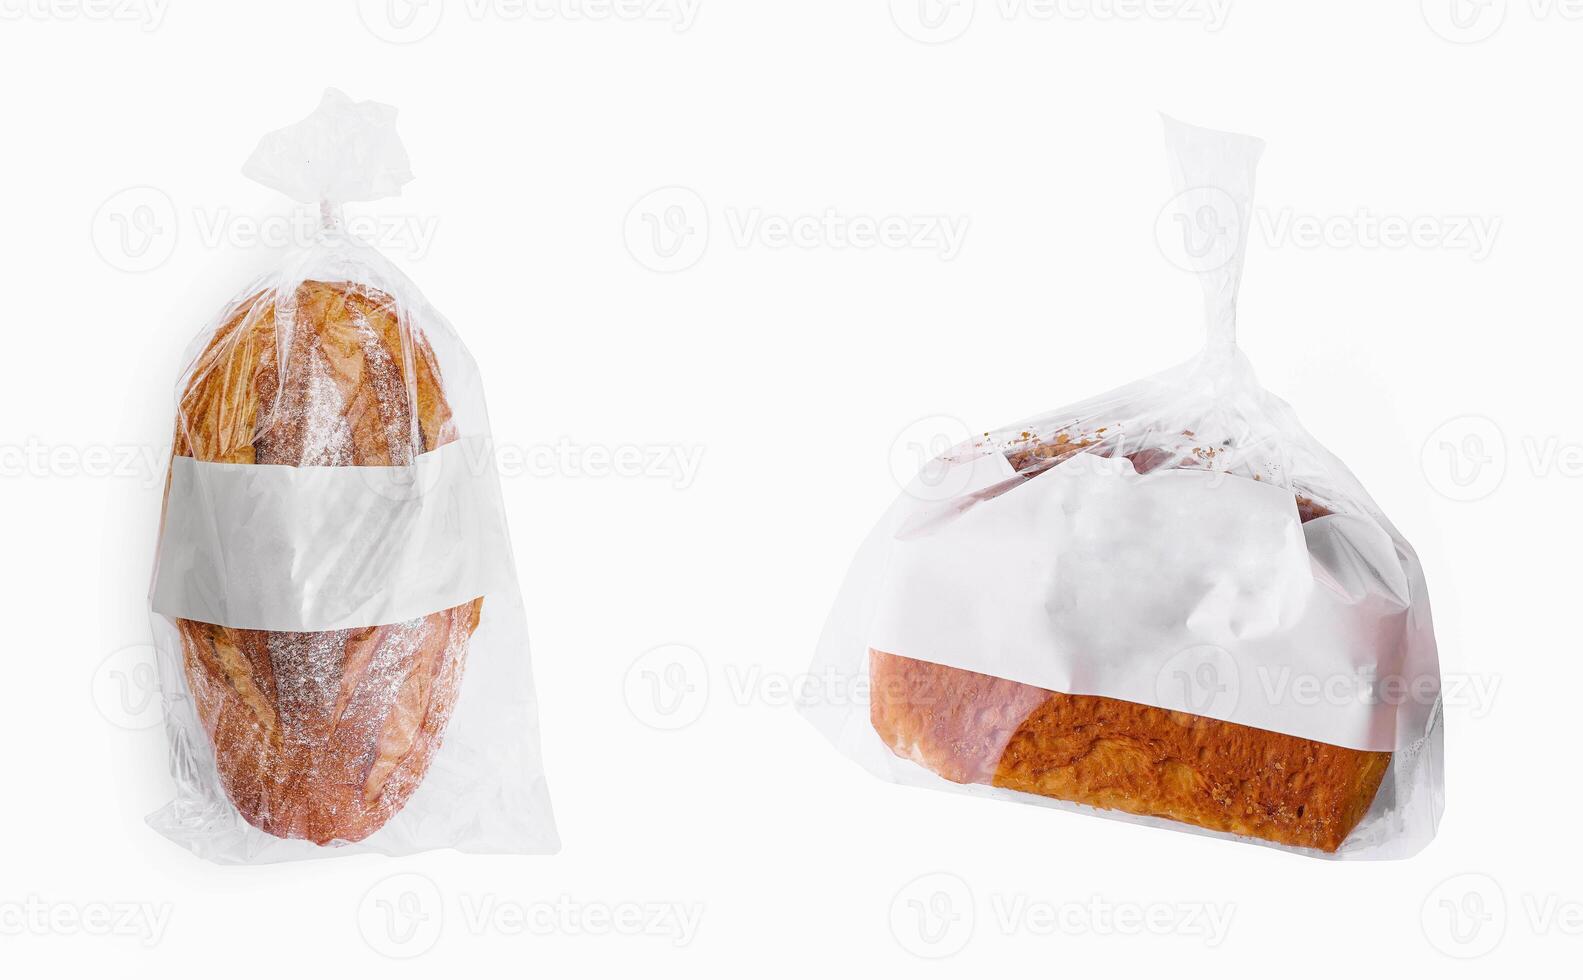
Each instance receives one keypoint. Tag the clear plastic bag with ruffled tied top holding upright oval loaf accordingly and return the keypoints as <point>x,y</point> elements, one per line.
<point>341,636</point>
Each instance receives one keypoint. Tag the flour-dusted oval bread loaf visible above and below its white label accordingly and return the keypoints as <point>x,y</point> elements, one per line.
<point>321,735</point>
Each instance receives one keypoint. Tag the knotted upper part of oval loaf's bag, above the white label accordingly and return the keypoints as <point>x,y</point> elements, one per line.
<point>336,359</point>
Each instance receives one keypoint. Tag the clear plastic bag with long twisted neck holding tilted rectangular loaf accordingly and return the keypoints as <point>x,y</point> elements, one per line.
<point>1167,604</point>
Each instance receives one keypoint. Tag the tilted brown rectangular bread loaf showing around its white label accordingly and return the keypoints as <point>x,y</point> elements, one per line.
<point>1110,754</point>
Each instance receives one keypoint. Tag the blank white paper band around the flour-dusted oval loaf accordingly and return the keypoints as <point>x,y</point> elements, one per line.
<point>325,549</point>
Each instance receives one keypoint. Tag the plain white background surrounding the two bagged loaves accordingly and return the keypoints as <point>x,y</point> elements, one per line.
<point>800,374</point>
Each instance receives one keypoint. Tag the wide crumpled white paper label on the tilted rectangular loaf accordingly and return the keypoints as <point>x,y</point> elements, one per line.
<point>1182,590</point>
